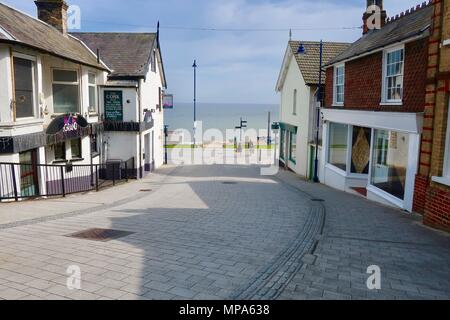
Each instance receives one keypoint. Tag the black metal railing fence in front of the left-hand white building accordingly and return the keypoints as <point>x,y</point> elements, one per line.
<point>22,181</point>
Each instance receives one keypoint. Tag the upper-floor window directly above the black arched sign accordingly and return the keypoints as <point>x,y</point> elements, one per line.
<point>65,91</point>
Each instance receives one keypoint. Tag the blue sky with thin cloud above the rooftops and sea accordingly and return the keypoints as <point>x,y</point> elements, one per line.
<point>237,66</point>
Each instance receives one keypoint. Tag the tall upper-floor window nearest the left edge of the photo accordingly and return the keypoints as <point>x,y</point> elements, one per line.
<point>23,84</point>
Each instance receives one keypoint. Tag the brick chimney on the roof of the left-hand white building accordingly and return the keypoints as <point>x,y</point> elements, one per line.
<point>53,12</point>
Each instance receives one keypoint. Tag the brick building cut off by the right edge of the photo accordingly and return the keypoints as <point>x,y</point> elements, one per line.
<point>432,196</point>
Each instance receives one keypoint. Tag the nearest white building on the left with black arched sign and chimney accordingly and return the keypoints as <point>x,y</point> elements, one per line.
<point>48,108</point>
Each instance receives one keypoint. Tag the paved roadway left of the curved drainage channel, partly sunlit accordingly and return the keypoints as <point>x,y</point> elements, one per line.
<point>210,232</point>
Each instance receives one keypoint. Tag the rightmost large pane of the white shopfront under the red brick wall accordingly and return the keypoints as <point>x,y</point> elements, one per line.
<point>390,162</point>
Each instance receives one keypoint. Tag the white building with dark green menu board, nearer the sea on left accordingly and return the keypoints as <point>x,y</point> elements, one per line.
<point>131,100</point>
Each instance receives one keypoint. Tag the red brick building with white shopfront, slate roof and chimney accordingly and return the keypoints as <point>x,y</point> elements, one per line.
<point>373,108</point>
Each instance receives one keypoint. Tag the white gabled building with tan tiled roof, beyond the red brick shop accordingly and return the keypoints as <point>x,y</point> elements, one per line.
<point>298,84</point>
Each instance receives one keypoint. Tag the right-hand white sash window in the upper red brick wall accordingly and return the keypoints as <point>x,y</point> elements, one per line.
<point>393,71</point>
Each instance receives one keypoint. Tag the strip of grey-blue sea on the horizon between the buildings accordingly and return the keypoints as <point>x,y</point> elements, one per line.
<point>221,116</point>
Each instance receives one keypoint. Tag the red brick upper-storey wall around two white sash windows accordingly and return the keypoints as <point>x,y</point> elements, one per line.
<point>363,81</point>
